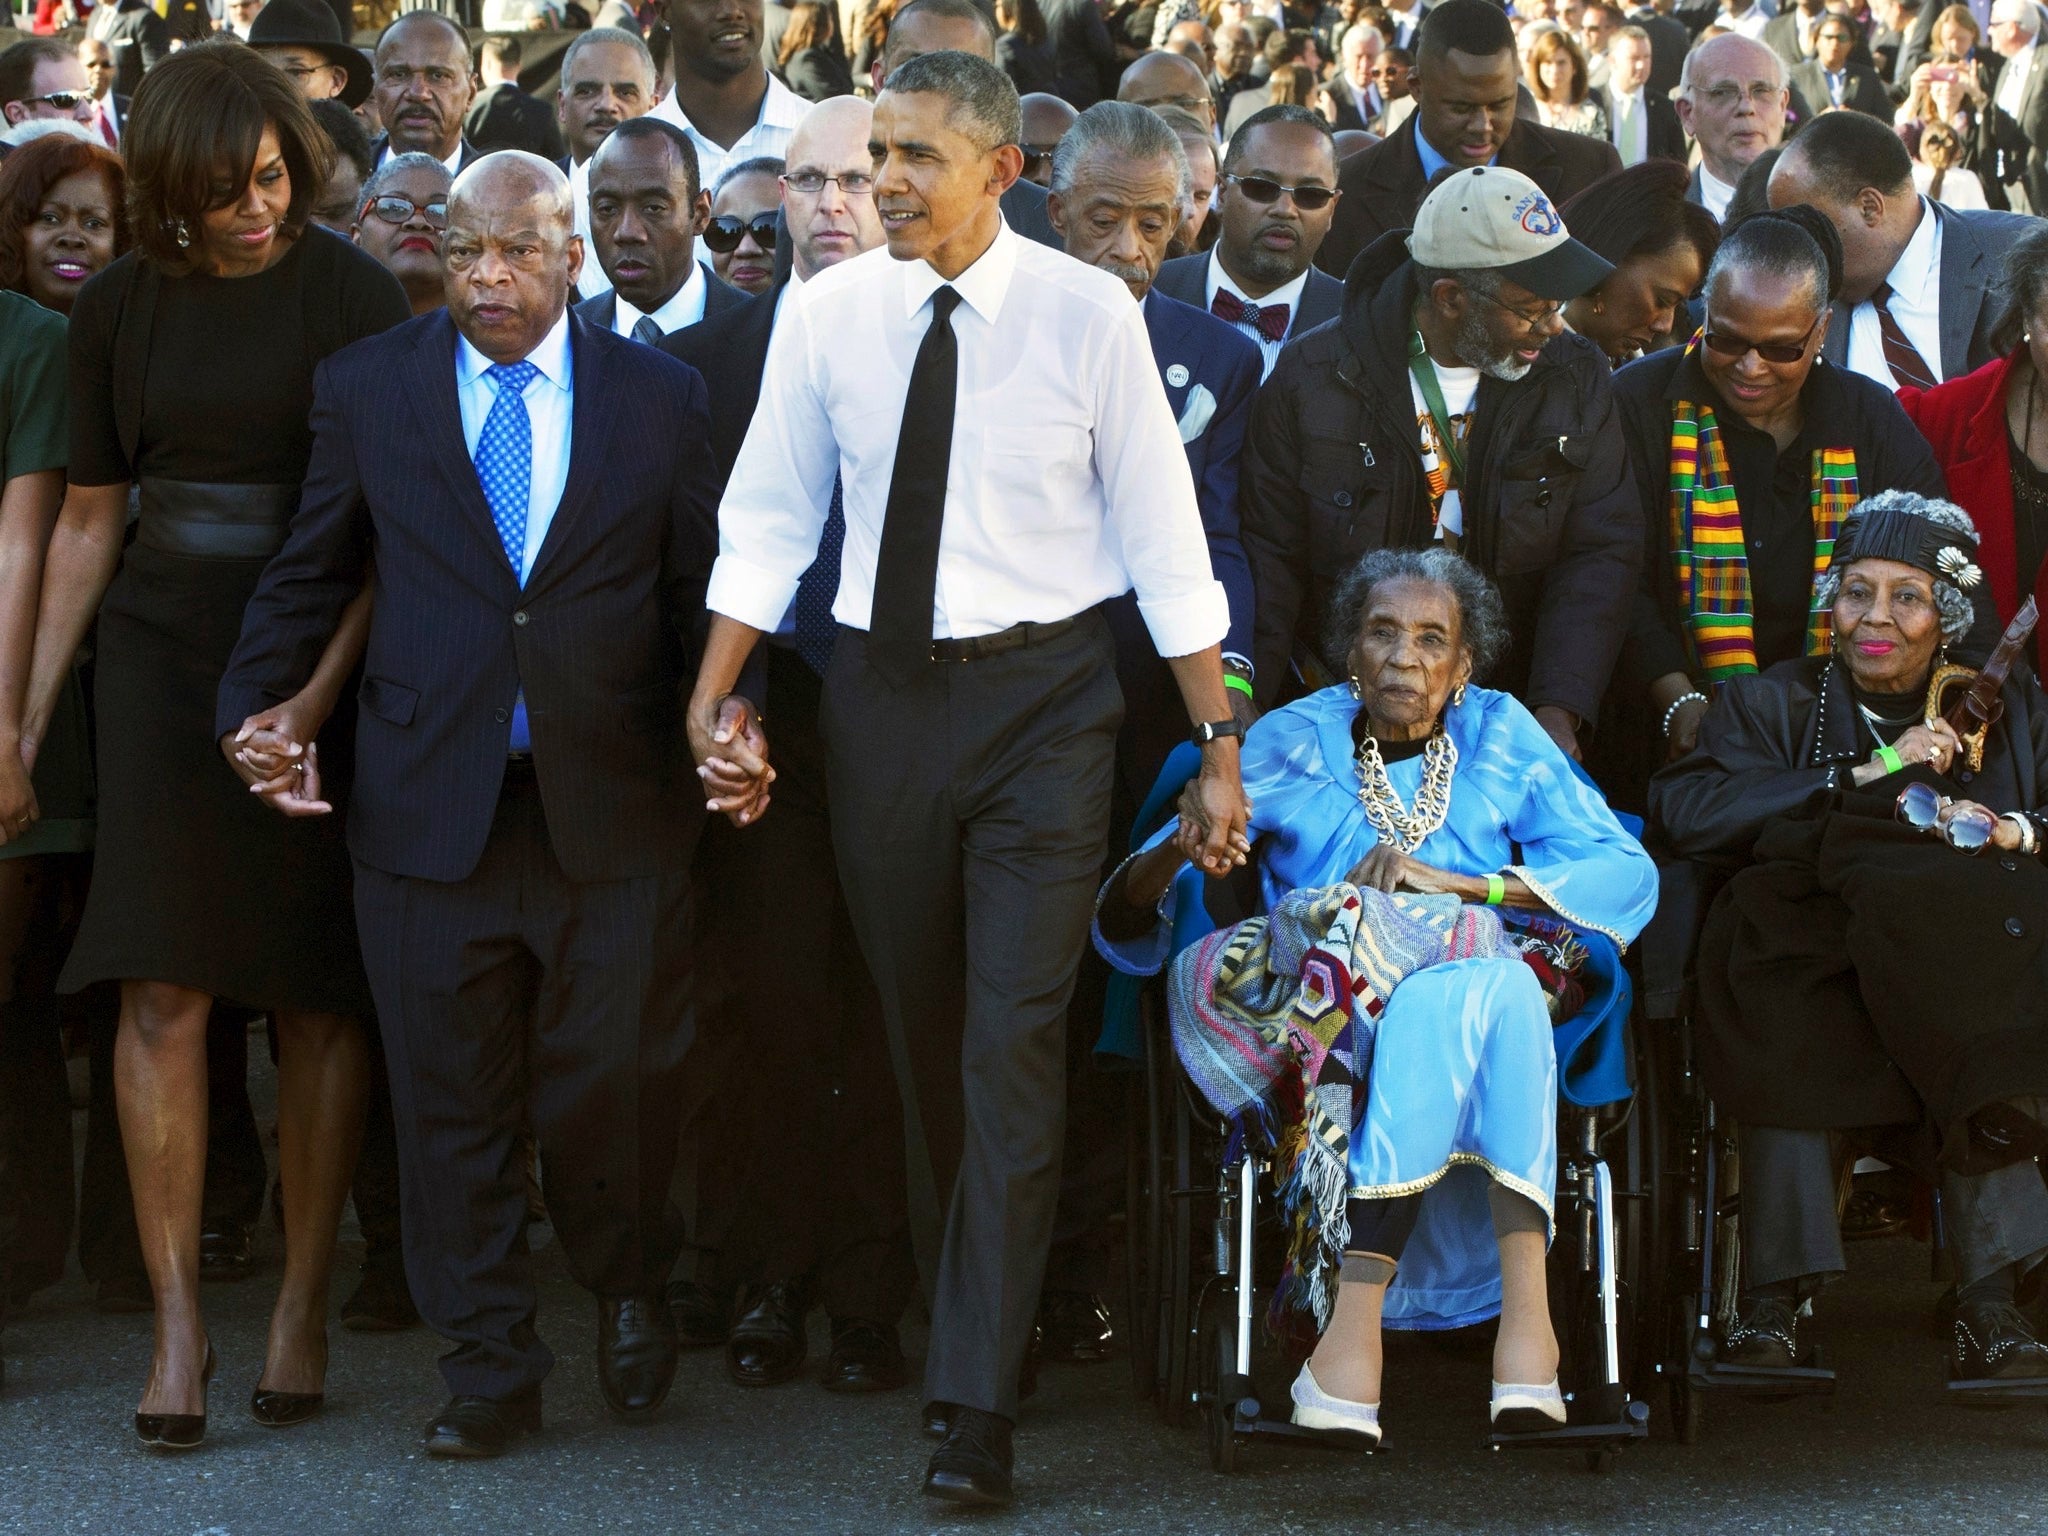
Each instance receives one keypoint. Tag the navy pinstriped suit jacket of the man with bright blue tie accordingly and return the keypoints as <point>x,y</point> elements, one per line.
<point>603,638</point>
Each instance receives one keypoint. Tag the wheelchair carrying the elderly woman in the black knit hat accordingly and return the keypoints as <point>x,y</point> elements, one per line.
<point>1695,1226</point>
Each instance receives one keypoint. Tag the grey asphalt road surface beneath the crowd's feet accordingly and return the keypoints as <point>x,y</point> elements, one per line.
<point>1887,1457</point>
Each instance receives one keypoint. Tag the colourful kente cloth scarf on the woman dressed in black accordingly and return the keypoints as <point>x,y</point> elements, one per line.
<point>1707,544</point>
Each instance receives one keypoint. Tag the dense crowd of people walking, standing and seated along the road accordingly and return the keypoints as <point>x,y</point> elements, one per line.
<point>470,562</point>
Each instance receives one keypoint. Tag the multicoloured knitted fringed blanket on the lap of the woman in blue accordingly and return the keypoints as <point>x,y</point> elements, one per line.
<point>1275,1021</point>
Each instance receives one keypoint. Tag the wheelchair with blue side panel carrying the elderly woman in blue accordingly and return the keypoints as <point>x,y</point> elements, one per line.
<point>1205,1242</point>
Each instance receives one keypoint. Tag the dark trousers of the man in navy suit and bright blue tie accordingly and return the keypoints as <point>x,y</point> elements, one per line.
<point>519,998</point>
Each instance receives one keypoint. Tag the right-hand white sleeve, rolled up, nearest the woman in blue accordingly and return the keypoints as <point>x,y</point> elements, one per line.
<point>1150,497</point>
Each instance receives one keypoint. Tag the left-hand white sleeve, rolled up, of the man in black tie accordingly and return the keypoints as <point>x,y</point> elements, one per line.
<point>781,488</point>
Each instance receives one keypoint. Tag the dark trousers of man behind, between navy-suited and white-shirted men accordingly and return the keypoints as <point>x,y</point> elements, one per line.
<point>802,1138</point>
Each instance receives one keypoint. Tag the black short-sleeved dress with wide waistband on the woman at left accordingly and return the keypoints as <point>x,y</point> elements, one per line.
<point>200,390</point>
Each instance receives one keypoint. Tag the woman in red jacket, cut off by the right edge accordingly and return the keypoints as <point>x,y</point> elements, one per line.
<point>1990,431</point>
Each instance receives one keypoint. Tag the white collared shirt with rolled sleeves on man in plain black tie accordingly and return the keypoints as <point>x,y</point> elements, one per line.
<point>1066,484</point>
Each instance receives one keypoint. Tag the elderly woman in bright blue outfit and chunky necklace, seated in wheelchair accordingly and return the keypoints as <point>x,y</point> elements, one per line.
<point>1410,810</point>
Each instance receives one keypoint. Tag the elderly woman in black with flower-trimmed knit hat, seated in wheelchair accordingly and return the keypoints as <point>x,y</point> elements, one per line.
<point>1834,1009</point>
